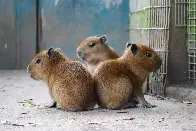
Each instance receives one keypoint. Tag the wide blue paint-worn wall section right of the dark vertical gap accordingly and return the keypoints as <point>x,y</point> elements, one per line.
<point>65,23</point>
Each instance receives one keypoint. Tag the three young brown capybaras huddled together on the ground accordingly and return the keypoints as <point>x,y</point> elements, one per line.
<point>107,79</point>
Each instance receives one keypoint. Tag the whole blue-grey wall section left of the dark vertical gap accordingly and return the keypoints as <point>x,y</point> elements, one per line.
<point>17,33</point>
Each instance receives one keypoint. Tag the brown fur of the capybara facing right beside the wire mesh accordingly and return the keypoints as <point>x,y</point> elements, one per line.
<point>119,81</point>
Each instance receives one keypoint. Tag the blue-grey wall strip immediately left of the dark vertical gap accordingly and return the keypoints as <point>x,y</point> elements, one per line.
<point>26,32</point>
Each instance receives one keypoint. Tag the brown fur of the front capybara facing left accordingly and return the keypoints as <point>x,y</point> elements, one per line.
<point>70,84</point>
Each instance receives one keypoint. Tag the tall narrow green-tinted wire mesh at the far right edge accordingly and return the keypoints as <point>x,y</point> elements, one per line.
<point>191,30</point>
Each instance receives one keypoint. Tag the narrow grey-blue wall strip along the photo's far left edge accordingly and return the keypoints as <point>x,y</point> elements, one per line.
<point>7,35</point>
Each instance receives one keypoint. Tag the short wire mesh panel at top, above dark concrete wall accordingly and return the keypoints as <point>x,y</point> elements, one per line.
<point>181,12</point>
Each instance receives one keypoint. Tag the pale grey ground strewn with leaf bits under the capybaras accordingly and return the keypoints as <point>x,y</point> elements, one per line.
<point>22,102</point>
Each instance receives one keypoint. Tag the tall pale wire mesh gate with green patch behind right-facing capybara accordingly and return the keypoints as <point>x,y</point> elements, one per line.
<point>149,24</point>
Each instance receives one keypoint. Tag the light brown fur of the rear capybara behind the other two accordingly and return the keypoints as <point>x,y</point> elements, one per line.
<point>93,56</point>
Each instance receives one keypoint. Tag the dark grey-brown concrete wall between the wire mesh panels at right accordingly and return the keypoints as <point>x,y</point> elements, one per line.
<point>177,57</point>
